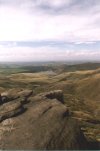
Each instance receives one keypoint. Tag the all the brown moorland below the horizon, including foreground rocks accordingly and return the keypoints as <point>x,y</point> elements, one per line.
<point>77,84</point>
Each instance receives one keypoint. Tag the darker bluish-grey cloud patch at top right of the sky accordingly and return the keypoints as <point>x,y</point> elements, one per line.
<point>75,6</point>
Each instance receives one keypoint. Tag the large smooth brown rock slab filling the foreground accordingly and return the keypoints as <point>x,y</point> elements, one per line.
<point>46,124</point>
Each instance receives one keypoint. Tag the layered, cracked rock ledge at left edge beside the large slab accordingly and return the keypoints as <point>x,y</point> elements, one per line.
<point>12,104</point>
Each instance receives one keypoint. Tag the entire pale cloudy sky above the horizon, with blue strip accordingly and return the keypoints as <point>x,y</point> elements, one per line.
<point>48,30</point>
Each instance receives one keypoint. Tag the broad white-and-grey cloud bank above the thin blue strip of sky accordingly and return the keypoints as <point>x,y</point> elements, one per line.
<point>79,19</point>
